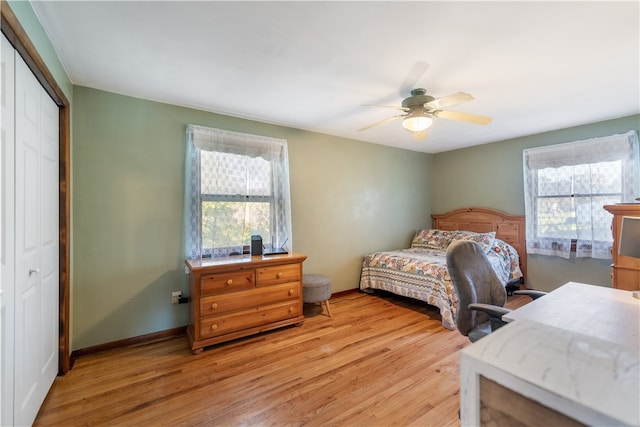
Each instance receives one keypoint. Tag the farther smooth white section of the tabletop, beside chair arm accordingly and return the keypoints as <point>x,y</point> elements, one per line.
<point>603,313</point>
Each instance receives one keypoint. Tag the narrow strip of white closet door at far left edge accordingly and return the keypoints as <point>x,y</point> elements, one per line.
<point>7,234</point>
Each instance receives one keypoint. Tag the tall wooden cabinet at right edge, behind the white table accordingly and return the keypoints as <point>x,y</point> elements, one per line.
<point>625,272</point>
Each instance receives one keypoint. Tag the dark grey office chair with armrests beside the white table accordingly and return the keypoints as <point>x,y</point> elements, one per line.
<point>481,295</point>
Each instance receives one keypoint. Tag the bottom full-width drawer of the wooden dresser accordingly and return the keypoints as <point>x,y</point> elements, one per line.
<point>227,323</point>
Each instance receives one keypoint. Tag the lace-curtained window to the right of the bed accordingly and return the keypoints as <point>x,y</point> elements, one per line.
<point>566,187</point>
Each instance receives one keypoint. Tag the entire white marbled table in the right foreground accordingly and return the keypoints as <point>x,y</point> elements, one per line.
<point>575,351</point>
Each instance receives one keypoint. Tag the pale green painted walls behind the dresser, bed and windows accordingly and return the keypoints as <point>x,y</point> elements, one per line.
<point>348,198</point>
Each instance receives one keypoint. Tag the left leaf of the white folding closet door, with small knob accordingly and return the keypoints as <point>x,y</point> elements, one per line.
<point>28,283</point>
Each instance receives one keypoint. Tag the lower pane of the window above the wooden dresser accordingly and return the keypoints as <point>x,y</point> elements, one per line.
<point>227,224</point>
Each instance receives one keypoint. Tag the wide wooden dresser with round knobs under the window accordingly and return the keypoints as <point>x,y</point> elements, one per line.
<point>236,296</point>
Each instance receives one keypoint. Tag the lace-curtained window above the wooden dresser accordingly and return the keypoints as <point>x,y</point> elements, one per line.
<point>237,186</point>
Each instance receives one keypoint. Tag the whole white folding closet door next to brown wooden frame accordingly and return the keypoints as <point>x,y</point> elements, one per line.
<point>36,240</point>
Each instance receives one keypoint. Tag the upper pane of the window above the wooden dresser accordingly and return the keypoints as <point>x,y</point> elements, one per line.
<point>230,174</point>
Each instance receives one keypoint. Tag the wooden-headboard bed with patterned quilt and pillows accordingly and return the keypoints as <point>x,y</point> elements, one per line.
<point>420,271</point>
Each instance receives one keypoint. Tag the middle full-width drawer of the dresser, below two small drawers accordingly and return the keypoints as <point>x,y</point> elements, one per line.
<point>225,303</point>
